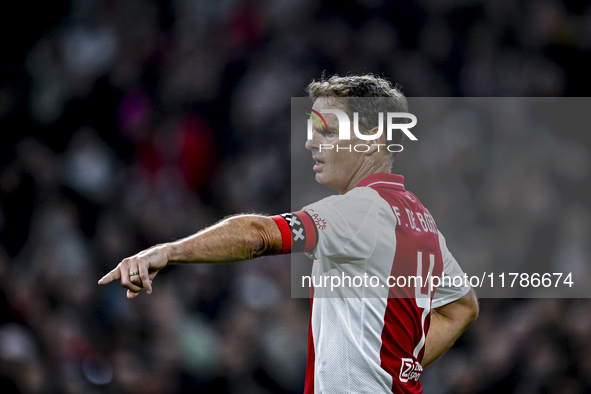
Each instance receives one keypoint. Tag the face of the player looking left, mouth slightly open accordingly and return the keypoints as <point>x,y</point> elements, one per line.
<point>333,168</point>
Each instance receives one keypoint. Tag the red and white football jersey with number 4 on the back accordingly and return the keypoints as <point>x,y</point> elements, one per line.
<point>370,338</point>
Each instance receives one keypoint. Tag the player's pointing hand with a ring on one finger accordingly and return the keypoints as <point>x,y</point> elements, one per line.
<point>137,272</point>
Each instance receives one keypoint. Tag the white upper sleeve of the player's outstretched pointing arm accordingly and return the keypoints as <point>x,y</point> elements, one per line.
<point>344,226</point>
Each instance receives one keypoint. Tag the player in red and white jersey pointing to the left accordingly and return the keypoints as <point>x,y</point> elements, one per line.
<point>362,339</point>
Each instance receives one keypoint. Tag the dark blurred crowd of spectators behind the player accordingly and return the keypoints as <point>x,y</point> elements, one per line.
<point>129,123</point>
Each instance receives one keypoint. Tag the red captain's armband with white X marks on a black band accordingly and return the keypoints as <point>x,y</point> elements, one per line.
<point>298,232</point>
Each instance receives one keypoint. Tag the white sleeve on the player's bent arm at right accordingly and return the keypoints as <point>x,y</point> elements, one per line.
<point>447,292</point>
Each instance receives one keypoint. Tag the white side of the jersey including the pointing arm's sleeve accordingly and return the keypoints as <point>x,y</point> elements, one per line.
<point>346,325</point>
